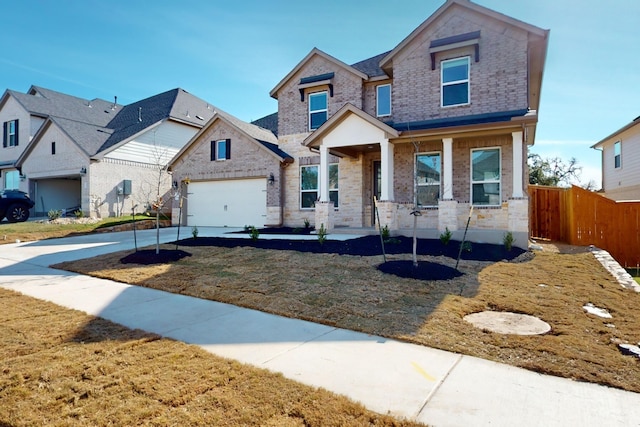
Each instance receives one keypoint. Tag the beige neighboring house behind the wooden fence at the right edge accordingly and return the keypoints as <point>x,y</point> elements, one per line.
<point>621,162</point>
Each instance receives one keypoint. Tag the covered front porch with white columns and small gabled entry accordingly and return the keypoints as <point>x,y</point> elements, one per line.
<point>386,167</point>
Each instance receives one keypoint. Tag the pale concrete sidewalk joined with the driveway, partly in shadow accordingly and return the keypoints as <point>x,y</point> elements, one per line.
<point>406,380</point>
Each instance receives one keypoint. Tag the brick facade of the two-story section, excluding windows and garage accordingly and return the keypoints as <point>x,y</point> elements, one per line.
<point>498,83</point>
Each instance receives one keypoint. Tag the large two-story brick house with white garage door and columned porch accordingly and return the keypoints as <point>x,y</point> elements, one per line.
<point>455,103</point>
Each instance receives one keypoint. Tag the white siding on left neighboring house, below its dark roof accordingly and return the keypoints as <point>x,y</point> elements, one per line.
<point>156,146</point>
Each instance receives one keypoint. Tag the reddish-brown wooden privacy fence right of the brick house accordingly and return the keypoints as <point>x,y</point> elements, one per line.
<point>580,217</point>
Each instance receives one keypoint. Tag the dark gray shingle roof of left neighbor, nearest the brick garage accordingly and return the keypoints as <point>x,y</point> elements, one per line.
<point>176,104</point>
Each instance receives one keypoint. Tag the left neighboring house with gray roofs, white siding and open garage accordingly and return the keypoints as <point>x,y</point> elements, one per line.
<point>100,157</point>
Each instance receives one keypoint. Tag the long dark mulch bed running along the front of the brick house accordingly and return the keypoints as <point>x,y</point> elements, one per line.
<point>366,246</point>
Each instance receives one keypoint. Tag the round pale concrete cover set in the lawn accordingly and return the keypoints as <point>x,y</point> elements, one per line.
<point>508,323</point>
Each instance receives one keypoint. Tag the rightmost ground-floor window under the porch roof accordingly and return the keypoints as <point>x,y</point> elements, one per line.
<point>485,176</point>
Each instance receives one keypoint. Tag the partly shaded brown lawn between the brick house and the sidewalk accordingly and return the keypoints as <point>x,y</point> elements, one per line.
<point>349,292</point>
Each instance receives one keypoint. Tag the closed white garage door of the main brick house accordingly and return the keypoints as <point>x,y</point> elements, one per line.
<point>233,203</point>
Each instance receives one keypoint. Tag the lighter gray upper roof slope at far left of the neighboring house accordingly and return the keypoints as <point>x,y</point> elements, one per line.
<point>49,103</point>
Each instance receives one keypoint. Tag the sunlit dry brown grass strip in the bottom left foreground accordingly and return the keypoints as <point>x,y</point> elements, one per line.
<point>62,367</point>
